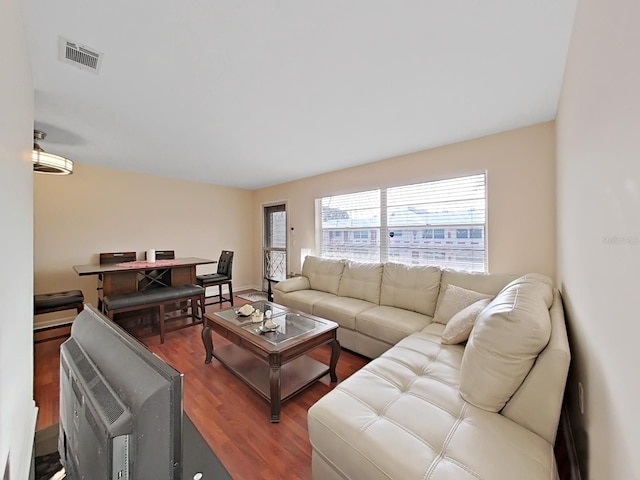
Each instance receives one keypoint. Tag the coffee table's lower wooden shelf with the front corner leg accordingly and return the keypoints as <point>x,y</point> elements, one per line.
<point>294,375</point>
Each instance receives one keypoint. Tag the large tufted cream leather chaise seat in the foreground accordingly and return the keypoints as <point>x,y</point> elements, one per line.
<point>401,416</point>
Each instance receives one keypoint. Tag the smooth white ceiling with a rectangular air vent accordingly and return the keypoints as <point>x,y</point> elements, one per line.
<point>251,93</point>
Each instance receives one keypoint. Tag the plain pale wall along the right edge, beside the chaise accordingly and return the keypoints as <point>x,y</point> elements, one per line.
<point>599,232</point>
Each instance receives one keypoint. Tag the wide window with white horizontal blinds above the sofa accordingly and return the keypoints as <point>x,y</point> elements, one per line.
<point>409,224</point>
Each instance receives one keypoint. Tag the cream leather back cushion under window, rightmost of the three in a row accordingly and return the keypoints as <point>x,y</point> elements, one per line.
<point>413,288</point>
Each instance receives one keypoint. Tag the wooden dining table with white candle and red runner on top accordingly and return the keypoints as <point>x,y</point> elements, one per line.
<point>125,277</point>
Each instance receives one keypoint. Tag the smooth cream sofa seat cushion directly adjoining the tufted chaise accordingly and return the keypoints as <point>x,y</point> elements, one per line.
<point>390,324</point>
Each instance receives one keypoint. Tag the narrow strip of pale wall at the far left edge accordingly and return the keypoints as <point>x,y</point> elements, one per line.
<point>17,408</point>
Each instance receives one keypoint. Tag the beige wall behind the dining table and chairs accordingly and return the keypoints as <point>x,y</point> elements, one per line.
<point>105,210</point>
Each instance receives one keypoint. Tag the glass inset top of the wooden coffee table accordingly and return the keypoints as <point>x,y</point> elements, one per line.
<point>289,325</point>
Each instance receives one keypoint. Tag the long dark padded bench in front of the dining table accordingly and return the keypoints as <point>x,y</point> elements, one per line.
<point>158,298</point>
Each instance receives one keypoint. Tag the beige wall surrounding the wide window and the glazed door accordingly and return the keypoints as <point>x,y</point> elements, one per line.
<point>520,167</point>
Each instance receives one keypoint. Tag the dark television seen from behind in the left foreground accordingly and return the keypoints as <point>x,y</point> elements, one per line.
<point>120,405</point>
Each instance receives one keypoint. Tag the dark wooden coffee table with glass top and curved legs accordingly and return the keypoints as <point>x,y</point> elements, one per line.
<point>274,364</point>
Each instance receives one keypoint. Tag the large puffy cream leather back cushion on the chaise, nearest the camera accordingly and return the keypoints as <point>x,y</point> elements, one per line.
<point>507,337</point>
